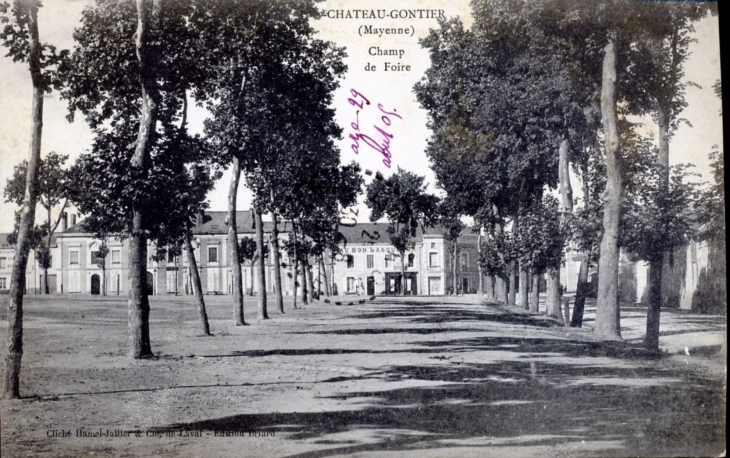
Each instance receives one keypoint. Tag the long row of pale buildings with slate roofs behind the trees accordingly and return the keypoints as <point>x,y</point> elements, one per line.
<point>367,264</point>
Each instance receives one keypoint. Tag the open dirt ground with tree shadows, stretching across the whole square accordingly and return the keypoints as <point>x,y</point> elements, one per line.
<point>414,377</point>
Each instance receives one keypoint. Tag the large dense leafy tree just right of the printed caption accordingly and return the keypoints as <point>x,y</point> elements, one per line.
<point>491,163</point>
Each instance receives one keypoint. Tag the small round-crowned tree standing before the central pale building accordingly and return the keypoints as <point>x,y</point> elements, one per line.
<point>403,201</point>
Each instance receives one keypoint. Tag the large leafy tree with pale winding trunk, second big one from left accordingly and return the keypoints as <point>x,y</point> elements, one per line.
<point>119,85</point>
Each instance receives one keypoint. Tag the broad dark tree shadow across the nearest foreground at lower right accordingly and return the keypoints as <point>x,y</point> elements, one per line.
<point>508,400</point>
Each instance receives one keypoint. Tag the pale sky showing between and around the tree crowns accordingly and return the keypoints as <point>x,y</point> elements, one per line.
<point>393,107</point>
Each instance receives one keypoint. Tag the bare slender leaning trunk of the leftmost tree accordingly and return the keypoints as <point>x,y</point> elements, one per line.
<point>11,389</point>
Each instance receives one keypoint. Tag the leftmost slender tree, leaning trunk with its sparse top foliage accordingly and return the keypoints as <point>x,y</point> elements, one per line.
<point>20,36</point>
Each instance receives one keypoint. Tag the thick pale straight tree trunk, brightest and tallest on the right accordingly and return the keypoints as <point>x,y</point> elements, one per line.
<point>607,305</point>
